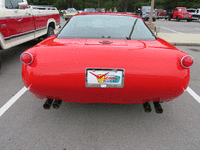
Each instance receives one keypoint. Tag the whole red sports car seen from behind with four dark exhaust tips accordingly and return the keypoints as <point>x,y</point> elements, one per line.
<point>106,58</point>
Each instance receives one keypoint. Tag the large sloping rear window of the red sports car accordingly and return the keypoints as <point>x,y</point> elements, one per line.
<point>105,26</point>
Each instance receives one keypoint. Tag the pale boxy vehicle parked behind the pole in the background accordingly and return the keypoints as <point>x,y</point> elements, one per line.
<point>144,13</point>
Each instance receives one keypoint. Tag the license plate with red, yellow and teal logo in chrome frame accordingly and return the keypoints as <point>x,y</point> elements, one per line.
<point>104,78</point>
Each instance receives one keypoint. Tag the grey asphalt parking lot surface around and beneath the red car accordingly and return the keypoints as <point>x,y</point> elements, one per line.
<point>26,125</point>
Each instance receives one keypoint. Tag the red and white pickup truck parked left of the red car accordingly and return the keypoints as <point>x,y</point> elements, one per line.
<point>19,23</point>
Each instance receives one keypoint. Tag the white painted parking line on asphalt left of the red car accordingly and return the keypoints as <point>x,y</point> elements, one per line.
<point>12,101</point>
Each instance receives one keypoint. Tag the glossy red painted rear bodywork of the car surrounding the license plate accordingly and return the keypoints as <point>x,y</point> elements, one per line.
<point>153,70</point>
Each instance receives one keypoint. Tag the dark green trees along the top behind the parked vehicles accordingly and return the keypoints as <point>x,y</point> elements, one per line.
<point>121,5</point>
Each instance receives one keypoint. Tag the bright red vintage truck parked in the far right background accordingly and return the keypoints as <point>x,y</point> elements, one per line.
<point>181,13</point>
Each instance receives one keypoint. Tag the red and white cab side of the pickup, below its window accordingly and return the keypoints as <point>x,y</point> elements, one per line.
<point>17,27</point>
